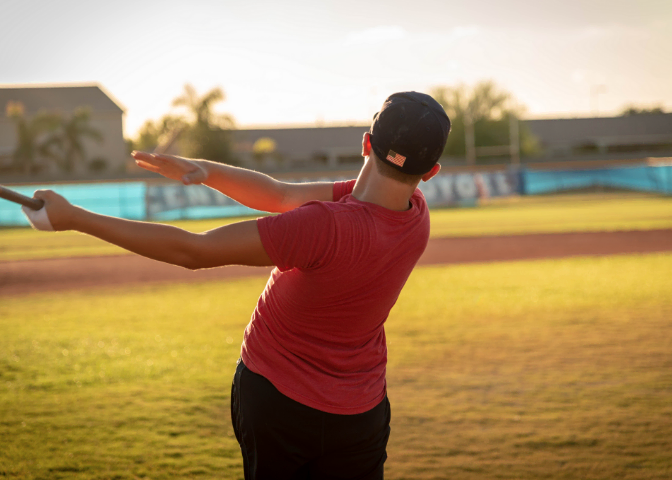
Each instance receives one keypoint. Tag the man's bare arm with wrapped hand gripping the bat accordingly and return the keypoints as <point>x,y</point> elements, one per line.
<point>235,244</point>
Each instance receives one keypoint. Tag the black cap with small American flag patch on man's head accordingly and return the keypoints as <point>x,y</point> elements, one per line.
<point>410,132</point>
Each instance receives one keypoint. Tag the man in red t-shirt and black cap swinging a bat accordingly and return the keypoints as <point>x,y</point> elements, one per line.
<point>308,398</point>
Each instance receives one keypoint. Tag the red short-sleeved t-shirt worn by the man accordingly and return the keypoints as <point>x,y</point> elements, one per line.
<point>317,331</point>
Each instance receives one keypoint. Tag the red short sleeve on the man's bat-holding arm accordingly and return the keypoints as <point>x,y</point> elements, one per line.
<point>299,238</point>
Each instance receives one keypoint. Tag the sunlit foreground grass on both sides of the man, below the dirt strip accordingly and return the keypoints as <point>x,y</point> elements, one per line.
<point>525,370</point>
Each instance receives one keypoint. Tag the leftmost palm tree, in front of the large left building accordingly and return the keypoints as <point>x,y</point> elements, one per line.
<point>31,142</point>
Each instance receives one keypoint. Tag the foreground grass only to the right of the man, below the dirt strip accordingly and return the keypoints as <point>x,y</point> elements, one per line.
<point>554,369</point>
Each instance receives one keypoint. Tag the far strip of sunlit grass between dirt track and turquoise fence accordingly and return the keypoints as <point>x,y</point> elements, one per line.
<point>560,213</point>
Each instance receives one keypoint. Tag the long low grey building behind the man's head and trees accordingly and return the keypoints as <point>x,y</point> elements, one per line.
<point>601,137</point>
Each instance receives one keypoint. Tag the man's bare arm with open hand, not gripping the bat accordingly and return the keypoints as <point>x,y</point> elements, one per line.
<point>253,189</point>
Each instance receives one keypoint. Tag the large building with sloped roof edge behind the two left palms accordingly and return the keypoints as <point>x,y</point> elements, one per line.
<point>106,116</point>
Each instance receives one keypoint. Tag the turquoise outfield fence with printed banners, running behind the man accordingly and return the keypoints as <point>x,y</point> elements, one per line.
<point>174,201</point>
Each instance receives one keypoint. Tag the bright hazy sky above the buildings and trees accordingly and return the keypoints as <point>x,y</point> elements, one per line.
<point>296,62</point>
